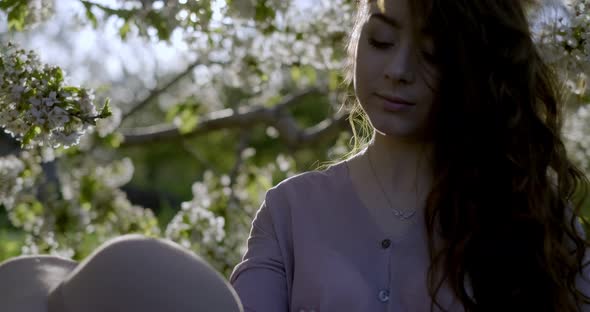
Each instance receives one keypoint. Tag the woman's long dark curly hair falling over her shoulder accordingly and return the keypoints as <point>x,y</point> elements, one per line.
<point>504,198</point>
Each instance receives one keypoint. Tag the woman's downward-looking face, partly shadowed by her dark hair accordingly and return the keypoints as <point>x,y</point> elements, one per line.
<point>395,76</point>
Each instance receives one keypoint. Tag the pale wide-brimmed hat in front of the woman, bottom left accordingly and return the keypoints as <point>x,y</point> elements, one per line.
<point>130,273</point>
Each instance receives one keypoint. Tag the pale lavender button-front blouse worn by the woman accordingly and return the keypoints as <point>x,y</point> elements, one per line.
<point>315,247</point>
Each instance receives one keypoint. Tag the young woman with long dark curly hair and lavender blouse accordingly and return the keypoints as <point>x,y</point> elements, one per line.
<point>462,199</point>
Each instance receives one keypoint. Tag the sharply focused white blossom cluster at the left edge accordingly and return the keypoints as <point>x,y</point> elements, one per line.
<point>60,114</point>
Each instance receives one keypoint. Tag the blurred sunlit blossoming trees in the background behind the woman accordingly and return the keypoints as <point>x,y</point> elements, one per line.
<point>170,161</point>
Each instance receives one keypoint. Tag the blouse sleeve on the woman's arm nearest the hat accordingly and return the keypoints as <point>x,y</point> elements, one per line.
<point>260,278</point>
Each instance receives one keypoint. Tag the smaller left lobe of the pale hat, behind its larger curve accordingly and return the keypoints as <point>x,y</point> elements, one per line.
<point>26,281</point>
